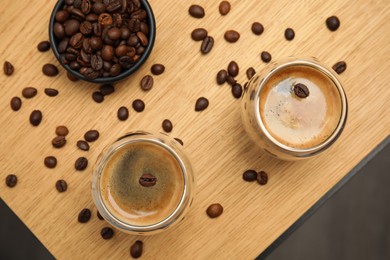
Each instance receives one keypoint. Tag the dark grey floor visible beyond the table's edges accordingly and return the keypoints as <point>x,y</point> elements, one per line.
<point>354,224</point>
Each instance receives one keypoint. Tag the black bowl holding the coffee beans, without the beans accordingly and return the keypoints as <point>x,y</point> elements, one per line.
<point>151,37</point>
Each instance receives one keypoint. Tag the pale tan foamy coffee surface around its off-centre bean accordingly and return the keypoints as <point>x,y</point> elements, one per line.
<point>300,122</point>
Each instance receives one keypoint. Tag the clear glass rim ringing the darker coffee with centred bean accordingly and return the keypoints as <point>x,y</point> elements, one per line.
<point>114,147</point>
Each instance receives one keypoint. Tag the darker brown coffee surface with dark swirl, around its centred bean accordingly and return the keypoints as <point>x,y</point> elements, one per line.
<point>127,199</point>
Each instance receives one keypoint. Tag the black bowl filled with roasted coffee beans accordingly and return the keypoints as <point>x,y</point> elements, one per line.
<point>102,41</point>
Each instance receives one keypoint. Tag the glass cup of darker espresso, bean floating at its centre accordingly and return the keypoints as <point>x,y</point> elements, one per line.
<point>143,183</point>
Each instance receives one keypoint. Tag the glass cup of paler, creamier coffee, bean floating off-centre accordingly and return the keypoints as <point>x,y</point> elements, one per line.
<point>294,109</point>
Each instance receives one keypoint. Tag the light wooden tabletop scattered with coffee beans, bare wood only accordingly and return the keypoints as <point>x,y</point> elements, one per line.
<point>254,215</point>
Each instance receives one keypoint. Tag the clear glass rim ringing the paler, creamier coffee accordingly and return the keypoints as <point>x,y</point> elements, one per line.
<point>312,63</point>
